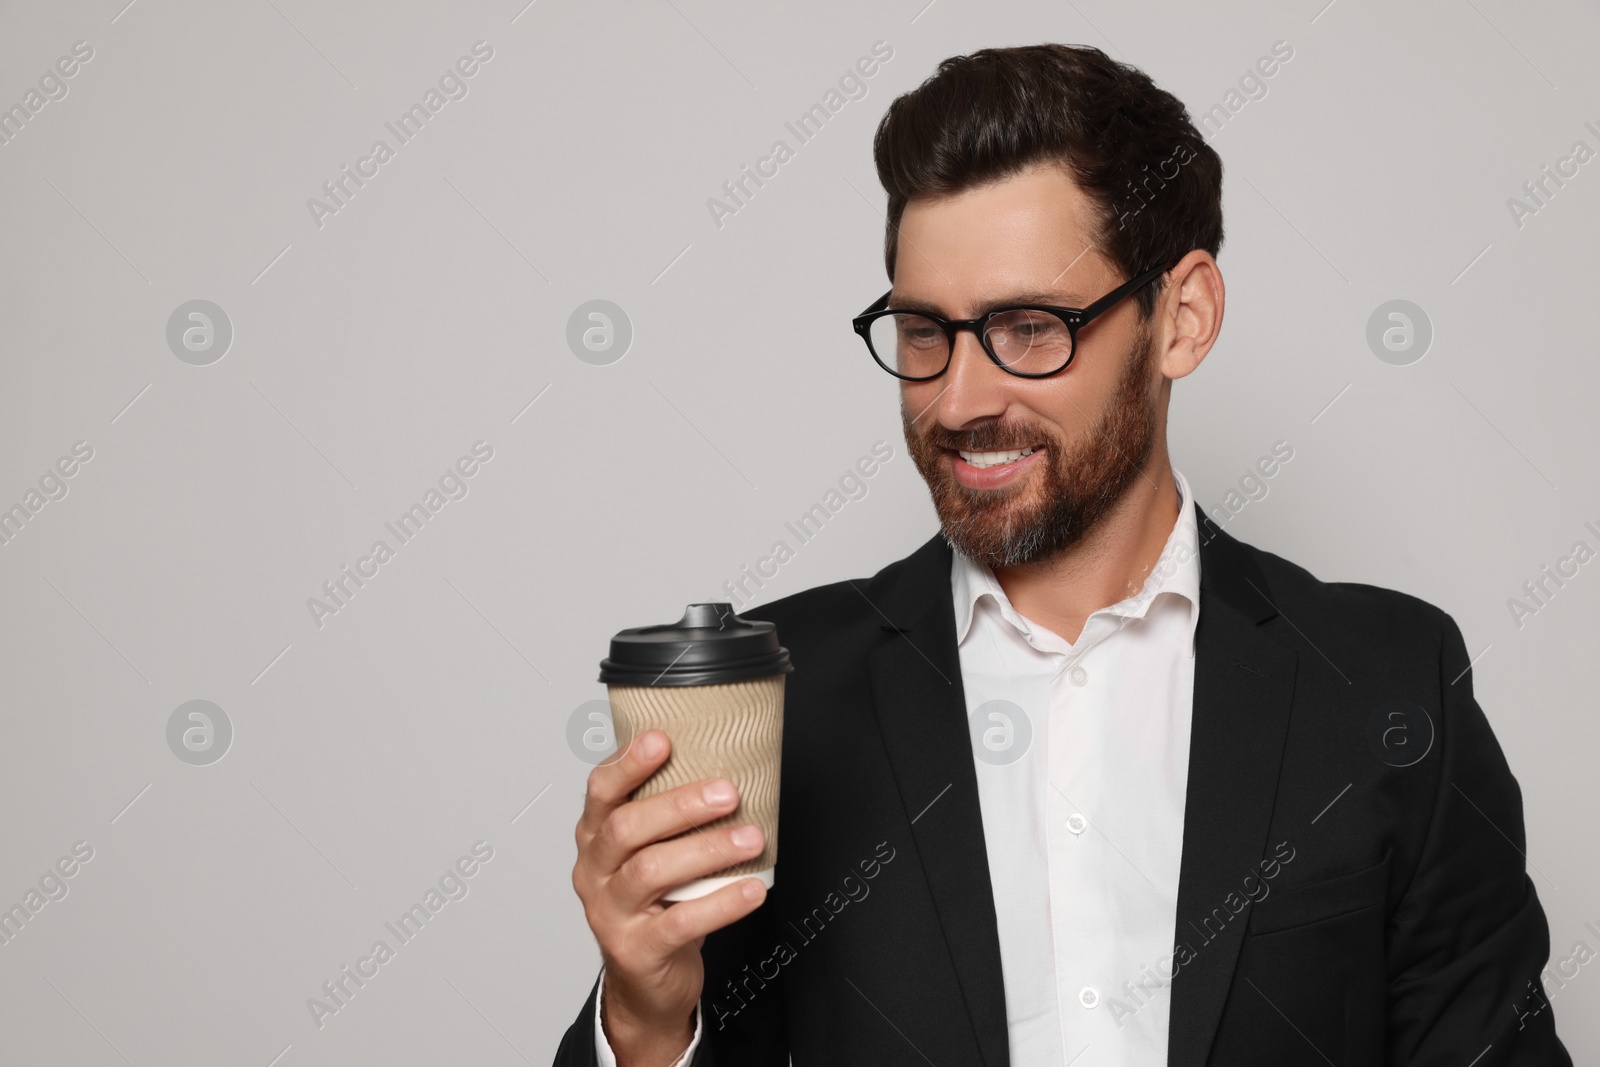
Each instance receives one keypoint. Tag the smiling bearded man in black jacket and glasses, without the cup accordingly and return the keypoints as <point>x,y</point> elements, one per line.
<point>1084,780</point>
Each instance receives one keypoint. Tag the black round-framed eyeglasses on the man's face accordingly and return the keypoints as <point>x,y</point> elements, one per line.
<point>1028,340</point>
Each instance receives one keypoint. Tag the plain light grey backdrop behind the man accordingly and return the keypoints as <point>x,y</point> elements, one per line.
<point>425,316</point>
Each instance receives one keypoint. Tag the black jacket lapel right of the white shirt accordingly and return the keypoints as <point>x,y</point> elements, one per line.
<point>1244,689</point>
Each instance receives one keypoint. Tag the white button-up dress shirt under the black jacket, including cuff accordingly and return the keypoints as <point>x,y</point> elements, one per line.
<point>1082,759</point>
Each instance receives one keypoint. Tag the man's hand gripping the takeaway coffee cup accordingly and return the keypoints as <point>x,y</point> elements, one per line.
<point>654,972</point>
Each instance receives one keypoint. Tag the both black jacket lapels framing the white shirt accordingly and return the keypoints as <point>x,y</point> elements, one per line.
<point>1244,687</point>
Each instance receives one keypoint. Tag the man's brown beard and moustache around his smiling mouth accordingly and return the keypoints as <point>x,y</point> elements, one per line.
<point>1022,524</point>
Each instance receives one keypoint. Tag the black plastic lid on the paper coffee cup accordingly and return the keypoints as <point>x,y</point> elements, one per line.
<point>710,645</point>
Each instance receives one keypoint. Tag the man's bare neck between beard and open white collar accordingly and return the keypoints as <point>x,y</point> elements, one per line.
<point>1108,565</point>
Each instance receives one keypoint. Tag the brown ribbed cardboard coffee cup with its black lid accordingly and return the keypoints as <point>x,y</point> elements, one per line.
<point>714,684</point>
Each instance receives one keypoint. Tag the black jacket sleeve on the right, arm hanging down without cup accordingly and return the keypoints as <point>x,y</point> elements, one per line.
<point>1468,938</point>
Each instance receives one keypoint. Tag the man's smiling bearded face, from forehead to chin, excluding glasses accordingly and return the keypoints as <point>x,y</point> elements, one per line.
<point>1094,426</point>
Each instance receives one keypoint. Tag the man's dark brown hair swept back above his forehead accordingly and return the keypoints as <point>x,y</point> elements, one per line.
<point>999,111</point>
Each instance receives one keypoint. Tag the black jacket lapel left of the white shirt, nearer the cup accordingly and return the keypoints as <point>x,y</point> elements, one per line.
<point>922,713</point>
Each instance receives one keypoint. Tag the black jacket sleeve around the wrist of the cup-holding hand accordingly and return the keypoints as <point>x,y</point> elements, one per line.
<point>742,1013</point>
